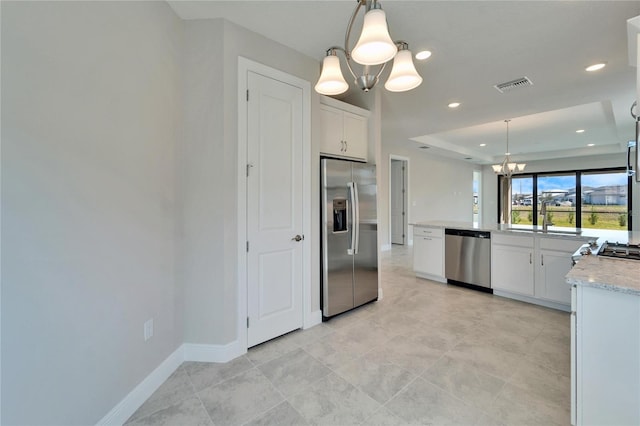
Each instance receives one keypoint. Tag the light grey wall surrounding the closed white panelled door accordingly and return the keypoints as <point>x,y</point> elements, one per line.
<point>210,165</point>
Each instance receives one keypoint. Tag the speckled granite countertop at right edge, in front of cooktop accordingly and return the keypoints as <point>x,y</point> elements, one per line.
<point>607,273</point>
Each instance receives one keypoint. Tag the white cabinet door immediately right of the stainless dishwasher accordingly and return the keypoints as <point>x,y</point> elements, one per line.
<point>512,269</point>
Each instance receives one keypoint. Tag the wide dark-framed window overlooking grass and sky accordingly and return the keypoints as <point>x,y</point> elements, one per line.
<point>596,199</point>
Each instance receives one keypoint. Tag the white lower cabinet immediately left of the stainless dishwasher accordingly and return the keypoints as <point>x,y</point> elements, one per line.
<point>428,252</point>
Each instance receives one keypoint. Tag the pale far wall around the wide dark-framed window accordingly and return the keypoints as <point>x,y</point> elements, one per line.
<point>490,180</point>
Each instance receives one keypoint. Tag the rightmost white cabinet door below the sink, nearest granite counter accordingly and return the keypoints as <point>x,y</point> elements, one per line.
<point>553,266</point>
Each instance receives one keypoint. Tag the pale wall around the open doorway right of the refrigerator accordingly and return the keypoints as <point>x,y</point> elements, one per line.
<point>440,188</point>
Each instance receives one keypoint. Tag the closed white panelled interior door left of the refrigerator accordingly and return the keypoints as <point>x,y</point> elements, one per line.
<point>274,208</point>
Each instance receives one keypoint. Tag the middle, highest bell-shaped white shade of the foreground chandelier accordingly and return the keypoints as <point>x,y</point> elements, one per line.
<point>375,45</point>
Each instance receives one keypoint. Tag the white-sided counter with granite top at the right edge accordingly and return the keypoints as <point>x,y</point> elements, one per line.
<point>605,340</point>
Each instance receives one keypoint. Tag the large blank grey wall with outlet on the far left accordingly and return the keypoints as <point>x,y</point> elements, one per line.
<point>90,116</point>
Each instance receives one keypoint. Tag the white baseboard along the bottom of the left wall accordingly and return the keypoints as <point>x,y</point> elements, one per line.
<point>125,408</point>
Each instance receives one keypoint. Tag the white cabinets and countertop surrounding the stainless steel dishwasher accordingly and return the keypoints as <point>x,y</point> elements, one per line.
<point>527,263</point>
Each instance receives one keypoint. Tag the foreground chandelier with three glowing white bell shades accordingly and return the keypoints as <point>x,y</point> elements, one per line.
<point>374,48</point>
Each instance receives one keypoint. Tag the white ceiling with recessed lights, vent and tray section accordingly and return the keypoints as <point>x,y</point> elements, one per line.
<point>475,45</point>
